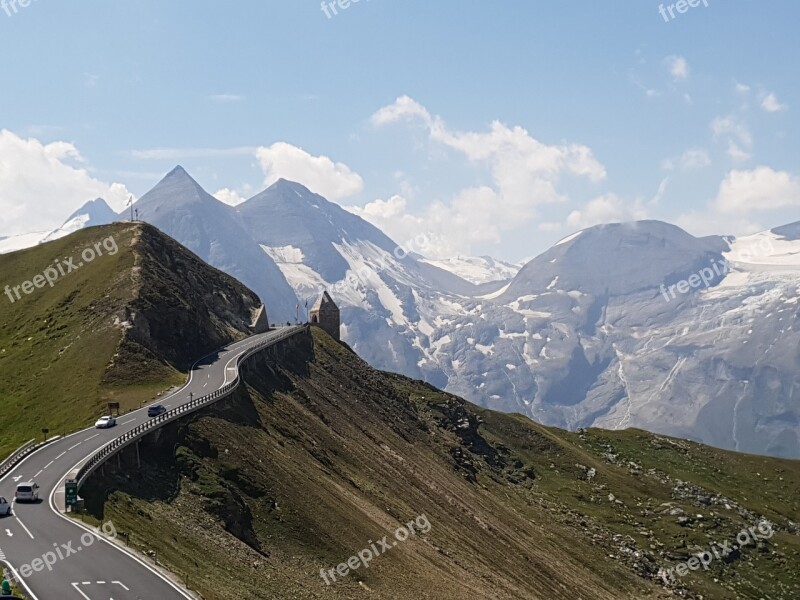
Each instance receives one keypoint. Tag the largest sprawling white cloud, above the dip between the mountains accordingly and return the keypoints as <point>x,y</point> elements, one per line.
<point>525,174</point>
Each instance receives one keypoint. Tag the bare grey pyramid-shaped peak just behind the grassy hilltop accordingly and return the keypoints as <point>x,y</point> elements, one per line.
<point>180,207</point>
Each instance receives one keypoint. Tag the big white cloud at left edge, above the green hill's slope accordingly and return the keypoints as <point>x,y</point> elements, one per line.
<point>41,184</point>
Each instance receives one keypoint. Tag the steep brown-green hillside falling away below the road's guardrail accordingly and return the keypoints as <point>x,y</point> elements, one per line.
<point>308,464</point>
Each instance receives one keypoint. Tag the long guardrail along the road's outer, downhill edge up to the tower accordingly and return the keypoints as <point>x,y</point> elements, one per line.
<point>151,425</point>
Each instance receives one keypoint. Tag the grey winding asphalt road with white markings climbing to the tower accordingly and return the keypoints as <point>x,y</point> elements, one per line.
<point>86,565</point>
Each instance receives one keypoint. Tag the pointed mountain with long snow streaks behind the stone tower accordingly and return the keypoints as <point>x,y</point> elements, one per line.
<point>377,284</point>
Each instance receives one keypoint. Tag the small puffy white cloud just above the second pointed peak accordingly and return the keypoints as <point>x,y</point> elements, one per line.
<point>318,173</point>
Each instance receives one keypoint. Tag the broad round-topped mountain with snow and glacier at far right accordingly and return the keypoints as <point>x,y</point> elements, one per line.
<point>586,335</point>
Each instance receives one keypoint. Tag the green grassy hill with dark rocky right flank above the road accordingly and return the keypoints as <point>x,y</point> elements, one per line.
<point>64,352</point>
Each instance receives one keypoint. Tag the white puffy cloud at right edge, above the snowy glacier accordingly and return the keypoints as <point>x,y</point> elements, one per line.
<point>759,189</point>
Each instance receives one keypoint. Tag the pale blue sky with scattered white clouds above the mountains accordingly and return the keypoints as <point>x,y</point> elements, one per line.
<point>494,128</point>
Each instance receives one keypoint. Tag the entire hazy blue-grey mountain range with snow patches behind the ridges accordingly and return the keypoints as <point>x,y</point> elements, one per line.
<point>624,325</point>
